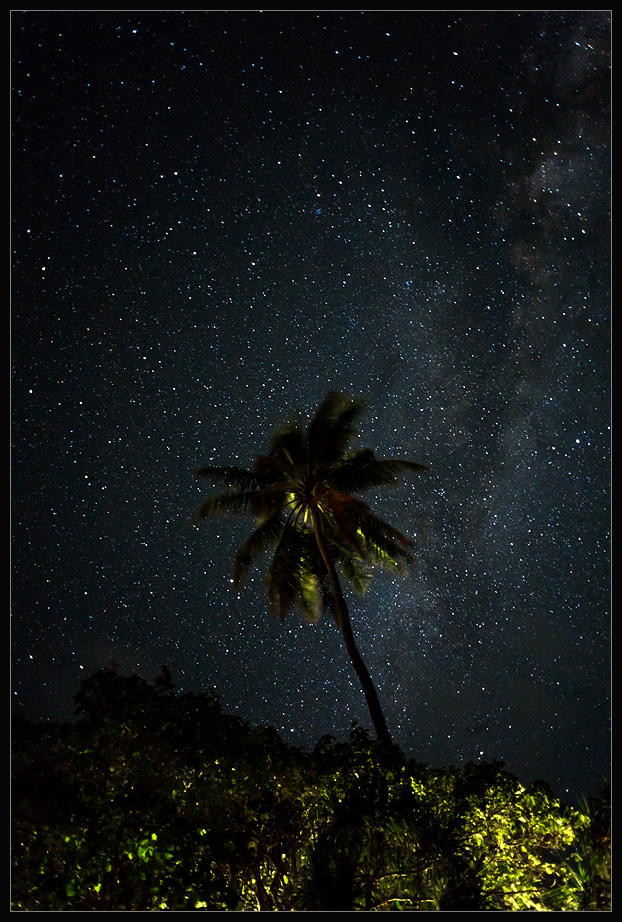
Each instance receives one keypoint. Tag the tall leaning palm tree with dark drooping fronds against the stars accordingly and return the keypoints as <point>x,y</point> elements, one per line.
<point>301,495</point>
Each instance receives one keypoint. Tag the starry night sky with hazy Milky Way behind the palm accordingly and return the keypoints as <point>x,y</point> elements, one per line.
<point>220,216</point>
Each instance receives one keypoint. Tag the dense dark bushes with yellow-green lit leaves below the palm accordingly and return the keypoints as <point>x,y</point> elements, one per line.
<point>156,800</point>
